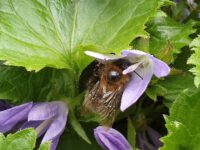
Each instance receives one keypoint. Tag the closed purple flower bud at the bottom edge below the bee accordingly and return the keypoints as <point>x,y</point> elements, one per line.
<point>111,139</point>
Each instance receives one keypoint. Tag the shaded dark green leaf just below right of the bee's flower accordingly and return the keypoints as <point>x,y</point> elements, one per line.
<point>170,87</point>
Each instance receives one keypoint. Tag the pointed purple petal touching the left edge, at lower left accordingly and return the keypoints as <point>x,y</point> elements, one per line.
<point>10,117</point>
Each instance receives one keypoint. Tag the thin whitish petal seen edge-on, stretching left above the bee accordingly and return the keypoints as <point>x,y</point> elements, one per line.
<point>103,58</point>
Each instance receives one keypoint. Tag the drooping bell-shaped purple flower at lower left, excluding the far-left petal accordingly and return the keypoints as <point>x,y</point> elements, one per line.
<point>48,118</point>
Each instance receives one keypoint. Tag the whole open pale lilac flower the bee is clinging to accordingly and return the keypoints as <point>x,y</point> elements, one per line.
<point>142,68</point>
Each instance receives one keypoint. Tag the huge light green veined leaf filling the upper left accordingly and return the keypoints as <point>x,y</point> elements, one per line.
<point>38,33</point>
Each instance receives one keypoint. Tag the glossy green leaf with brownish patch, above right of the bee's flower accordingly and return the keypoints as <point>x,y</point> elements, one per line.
<point>167,32</point>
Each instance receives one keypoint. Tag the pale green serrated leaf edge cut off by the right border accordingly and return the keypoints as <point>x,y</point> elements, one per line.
<point>194,60</point>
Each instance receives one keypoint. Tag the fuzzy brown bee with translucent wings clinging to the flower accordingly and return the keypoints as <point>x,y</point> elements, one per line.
<point>104,90</point>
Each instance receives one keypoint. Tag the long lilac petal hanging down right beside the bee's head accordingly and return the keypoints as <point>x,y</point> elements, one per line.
<point>136,87</point>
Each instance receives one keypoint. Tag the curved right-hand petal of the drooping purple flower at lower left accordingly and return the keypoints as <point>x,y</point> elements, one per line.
<point>58,125</point>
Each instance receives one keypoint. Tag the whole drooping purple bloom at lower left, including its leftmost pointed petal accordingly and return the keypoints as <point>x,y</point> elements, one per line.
<point>47,118</point>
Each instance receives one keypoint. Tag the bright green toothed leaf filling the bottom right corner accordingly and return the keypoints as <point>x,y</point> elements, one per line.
<point>183,123</point>
